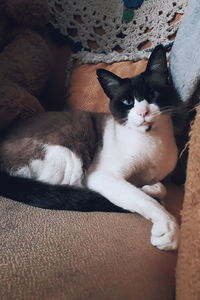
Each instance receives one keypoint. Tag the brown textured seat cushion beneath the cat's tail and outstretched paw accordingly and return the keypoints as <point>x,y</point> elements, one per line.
<point>53,255</point>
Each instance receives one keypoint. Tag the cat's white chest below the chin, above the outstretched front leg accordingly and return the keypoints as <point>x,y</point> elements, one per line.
<point>146,157</point>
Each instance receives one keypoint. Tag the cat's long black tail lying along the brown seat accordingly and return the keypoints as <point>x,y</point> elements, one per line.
<point>58,197</point>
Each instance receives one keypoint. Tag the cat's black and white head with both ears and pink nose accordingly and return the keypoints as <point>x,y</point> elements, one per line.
<point>142,100</point>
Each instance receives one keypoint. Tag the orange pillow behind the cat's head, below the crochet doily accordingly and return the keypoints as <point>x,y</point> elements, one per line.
<point>85,92</point>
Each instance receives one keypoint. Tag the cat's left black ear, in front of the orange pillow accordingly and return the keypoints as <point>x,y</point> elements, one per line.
<point>108,81</point>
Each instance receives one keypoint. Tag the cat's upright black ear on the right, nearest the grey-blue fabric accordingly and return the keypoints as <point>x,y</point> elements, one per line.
<point>158,62</point>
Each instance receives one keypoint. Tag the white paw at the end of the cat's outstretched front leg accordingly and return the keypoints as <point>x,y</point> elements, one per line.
<point>165,234</point>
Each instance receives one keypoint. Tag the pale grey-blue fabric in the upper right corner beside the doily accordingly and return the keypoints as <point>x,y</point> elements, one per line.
<point>184,59</point>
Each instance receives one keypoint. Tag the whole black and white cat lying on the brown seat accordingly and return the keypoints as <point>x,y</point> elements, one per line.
<point>84,161</point>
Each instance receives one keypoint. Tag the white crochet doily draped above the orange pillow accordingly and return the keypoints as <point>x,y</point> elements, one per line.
<point>98,26</point>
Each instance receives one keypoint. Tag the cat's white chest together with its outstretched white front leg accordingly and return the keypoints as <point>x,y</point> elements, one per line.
<point>128,150</point>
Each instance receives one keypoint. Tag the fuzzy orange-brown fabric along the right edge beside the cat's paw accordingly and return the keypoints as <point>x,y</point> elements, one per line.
<point>188,267</point>
